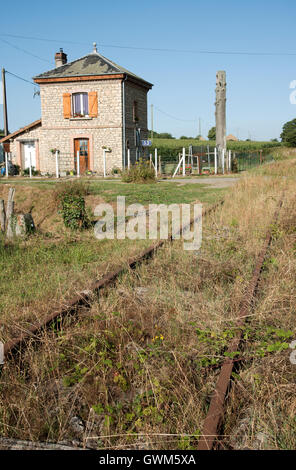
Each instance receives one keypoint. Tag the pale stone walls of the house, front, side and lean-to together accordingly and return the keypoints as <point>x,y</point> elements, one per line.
<point>105,130</point>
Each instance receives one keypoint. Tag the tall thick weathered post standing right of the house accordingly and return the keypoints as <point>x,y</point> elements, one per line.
<point>220,114</point>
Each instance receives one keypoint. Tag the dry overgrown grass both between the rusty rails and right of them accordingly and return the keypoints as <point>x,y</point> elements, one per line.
<point>139,367</point>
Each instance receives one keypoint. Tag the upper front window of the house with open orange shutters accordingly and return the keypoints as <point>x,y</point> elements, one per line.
<point>84,105</point>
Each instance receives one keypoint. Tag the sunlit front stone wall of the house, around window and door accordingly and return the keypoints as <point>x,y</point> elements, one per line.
<point>103,130</point>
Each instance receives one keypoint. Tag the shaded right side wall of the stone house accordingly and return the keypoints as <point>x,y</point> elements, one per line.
<point>134,92</point>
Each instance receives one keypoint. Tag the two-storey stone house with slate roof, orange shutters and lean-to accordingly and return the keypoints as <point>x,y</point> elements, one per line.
<point>86,105</point>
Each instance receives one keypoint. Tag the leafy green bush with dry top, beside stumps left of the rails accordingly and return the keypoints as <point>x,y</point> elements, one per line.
<point>70,196</point>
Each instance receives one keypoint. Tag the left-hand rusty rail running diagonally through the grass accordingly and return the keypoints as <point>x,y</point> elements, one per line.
<point>84,297</point>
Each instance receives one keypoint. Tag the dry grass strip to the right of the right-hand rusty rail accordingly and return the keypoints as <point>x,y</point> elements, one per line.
<point>261,413</point>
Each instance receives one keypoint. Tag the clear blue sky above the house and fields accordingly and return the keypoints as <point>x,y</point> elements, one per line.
<point>257,86</point>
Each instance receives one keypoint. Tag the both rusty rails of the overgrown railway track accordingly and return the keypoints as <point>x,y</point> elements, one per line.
<point>214,419</point>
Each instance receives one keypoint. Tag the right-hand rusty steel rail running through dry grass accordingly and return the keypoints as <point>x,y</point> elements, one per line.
<point>214,417</point>
